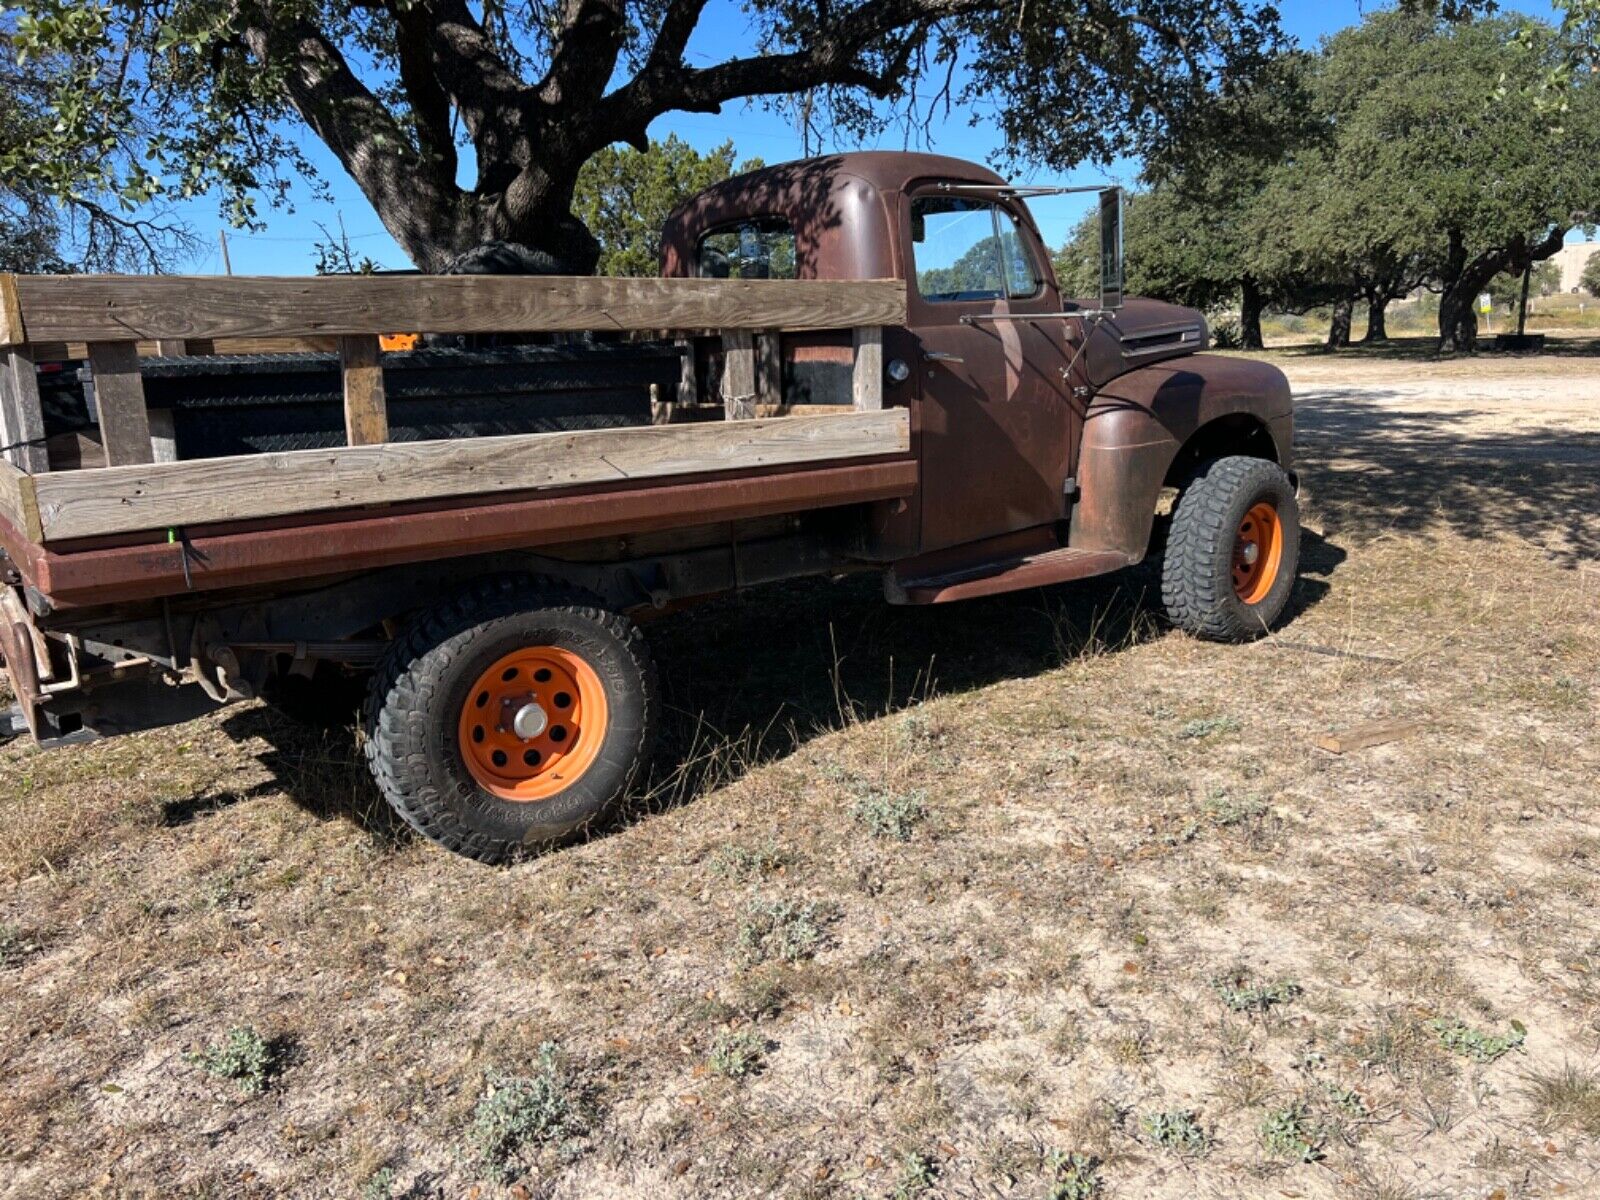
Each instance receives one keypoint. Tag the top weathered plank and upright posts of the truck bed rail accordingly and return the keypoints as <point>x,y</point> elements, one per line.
<point>113,314</point>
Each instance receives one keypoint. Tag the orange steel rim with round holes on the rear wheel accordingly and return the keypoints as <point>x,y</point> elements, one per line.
<point>534,724</point>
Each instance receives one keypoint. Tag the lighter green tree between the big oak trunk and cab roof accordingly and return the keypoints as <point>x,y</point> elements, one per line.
<point>626,196</point>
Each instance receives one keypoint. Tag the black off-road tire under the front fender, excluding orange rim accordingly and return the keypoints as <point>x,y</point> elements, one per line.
<point>1198,562</point>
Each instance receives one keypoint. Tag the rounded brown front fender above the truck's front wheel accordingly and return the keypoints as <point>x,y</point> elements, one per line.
<point>1140,423</point>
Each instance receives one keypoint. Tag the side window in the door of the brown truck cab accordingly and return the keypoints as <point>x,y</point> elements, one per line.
<point>969,250</point>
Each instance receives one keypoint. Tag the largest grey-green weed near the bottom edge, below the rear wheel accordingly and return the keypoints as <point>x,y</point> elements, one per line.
<point>522,1113</point>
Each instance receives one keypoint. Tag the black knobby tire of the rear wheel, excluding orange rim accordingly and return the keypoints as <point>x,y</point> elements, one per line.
<point>417,698</point>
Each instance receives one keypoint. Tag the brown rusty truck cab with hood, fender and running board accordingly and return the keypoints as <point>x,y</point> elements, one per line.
<point>1044,425</point>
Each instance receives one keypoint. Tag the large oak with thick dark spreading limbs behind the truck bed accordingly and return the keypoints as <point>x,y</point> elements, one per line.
<point>177,98</point>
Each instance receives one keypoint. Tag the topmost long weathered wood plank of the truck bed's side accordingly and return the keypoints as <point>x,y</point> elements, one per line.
<point>127,308</point>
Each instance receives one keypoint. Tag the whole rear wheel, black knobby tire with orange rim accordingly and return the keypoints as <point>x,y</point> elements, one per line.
<point>513,718</point>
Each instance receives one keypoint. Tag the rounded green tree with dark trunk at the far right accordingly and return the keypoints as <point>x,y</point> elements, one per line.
<point>1442,159</point>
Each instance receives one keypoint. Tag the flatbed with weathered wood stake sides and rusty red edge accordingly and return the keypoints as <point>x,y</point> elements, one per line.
<point>140,529</point>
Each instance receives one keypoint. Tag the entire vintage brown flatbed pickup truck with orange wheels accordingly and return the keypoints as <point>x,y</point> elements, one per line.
<point>868,367</point>
